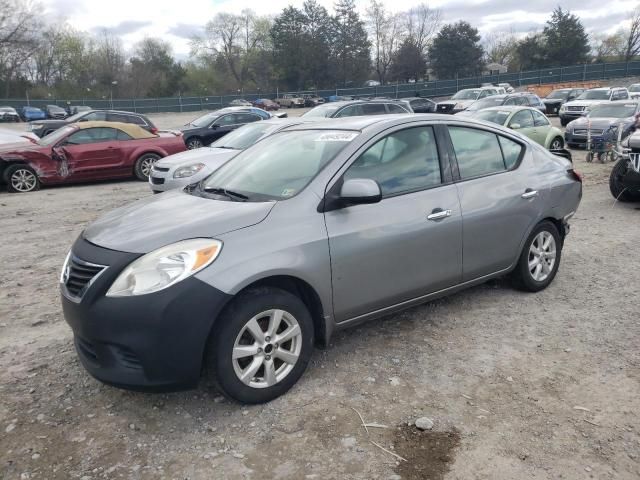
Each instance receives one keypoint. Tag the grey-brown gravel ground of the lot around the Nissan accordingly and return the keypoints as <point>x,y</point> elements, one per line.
<point>517,385</point>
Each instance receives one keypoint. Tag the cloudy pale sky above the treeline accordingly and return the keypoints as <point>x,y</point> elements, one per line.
<point>133,20</point>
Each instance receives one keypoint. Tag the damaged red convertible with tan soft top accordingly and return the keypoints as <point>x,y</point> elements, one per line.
<point>85,151</point>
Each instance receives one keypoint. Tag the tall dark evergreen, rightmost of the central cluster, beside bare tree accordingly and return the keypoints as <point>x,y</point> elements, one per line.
<point>351,46</point>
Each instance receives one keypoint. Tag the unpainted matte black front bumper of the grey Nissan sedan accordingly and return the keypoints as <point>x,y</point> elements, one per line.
<point>152,342</point>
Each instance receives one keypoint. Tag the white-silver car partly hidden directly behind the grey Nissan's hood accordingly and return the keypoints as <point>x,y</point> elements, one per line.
<point>186,168</point>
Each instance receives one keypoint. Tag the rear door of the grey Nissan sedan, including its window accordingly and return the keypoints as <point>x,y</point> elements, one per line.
<point>500,196</point>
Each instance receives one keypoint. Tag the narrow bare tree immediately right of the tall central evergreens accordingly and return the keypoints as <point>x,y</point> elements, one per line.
<point>385,29</point>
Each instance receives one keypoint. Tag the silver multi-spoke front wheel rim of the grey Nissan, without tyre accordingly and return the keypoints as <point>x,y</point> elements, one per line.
<point>267,348</point>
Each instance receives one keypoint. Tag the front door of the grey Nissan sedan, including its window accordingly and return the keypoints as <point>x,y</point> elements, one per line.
<point>405,246</point>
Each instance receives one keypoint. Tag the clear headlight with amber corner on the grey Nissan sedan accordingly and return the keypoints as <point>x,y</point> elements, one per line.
<point>164,267</point>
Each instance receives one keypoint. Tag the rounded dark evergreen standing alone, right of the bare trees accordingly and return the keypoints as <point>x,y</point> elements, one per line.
<point>456,51</point>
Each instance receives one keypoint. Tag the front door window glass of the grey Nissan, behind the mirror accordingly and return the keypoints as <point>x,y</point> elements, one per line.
<point>401,162</point>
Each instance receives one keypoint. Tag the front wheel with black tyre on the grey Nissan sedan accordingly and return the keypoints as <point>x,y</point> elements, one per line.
<point>261,345</point>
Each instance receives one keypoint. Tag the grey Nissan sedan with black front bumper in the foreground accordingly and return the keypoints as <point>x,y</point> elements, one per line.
<point>311,230</point>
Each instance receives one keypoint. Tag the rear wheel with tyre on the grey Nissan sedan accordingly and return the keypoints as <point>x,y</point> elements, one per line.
<point>540,258</point>
